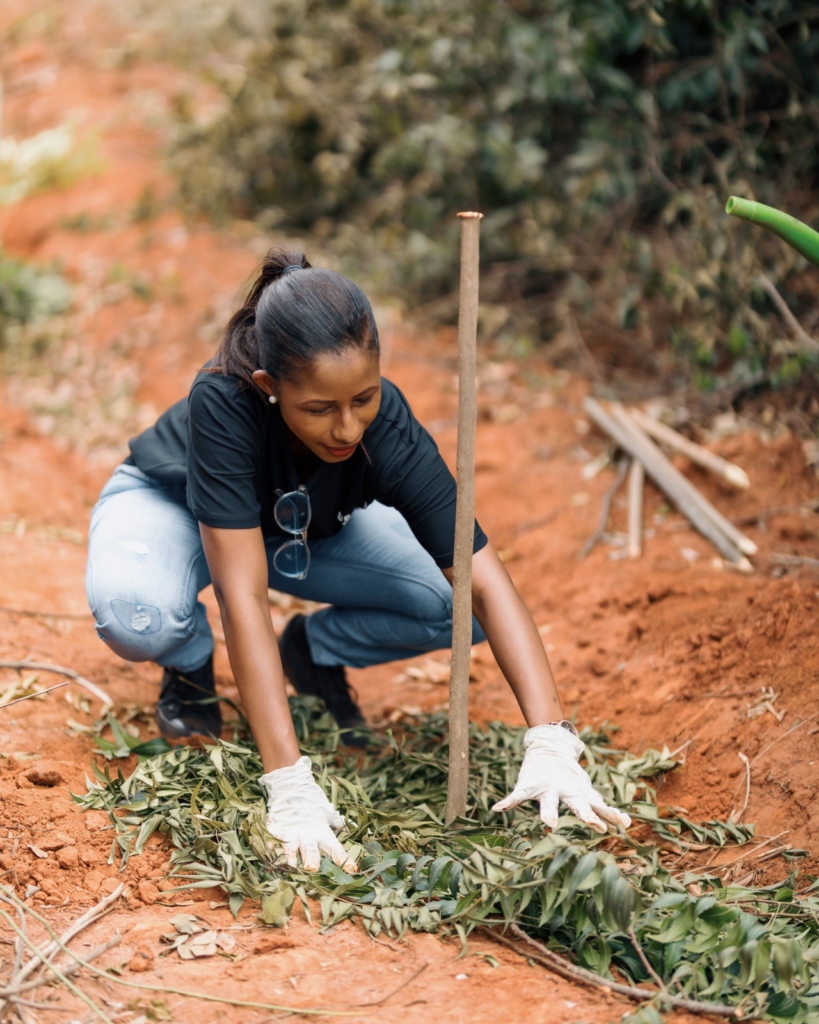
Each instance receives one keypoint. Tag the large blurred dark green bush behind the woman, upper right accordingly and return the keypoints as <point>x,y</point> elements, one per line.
<point>600,139</point>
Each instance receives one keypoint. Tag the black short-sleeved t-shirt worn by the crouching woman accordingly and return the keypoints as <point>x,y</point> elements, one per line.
<point>229,450</point>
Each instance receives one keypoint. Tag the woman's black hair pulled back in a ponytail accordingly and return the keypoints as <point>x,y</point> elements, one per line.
<point>290,319</point>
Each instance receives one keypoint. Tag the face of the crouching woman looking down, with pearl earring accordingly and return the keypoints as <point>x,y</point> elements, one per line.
<point>334,401</point>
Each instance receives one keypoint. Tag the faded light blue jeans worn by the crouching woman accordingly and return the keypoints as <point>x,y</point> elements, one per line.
<point>147,567</point>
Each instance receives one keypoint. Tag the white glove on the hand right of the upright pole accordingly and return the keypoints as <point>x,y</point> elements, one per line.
<point>550,774</point>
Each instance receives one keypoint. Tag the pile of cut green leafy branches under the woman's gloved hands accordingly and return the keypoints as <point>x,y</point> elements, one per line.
<point>608,903</point>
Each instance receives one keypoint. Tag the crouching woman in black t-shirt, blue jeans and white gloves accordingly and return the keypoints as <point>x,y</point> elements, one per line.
<point>294,465</point>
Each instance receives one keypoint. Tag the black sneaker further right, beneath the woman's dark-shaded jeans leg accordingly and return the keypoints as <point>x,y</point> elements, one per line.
<point>328,682</point>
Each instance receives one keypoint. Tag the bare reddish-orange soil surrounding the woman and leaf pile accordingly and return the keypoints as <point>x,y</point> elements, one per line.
<point>669,649</point>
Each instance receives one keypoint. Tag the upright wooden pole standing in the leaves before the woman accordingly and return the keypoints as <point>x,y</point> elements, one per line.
<point>464,520</point>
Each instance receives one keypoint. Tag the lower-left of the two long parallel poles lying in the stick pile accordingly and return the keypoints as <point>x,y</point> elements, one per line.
<point>668,479</point>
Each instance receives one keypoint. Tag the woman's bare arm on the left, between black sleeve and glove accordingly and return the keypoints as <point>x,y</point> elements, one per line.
<point>239,570</point>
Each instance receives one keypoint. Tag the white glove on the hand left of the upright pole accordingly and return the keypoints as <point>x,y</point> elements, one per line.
<point>300,816</point>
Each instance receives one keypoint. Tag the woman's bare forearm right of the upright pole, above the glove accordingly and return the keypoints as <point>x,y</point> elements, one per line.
<point>513,638</point>
